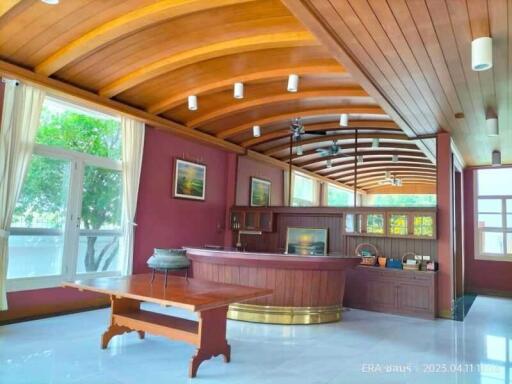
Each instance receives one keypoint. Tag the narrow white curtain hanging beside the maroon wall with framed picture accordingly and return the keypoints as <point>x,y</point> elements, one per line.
<point>132,148</point>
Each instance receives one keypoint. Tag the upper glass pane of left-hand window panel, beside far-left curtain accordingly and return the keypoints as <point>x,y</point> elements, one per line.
<point>43,199</point>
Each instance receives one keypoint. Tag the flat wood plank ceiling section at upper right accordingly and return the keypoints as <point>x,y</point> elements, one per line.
<point>414,57</point>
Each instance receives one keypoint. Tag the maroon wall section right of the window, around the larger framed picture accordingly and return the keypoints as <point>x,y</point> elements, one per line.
<point>163,221</point>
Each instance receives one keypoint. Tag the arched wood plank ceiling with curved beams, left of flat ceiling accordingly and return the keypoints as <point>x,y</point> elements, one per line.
<point>151,55</point>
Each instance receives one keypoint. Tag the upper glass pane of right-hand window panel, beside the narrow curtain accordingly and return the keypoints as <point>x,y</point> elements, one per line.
<point>101,199</point>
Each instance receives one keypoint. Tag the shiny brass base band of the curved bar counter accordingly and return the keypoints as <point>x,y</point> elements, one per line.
<point>284,315</point>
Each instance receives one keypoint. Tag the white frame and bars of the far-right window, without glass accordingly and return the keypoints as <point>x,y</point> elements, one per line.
<point>478,231</point>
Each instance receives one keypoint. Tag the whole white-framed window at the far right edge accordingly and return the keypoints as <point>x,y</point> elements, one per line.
<point>493,218</point>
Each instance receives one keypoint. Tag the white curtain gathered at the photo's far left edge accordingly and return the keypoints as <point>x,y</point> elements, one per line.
<point>20,120</point>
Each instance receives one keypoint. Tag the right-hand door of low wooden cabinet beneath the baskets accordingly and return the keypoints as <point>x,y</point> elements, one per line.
<point>415,299</point>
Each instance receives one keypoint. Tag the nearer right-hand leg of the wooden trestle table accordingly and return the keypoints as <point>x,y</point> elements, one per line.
<point>212,335</point>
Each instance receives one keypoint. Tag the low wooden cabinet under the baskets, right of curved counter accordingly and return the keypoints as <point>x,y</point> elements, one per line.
<point>402,292</point>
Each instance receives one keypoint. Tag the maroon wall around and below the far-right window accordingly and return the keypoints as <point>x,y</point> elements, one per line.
<point>481,276</point>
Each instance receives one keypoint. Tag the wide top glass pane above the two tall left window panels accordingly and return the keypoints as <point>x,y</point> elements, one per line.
<point>67,126</point>
